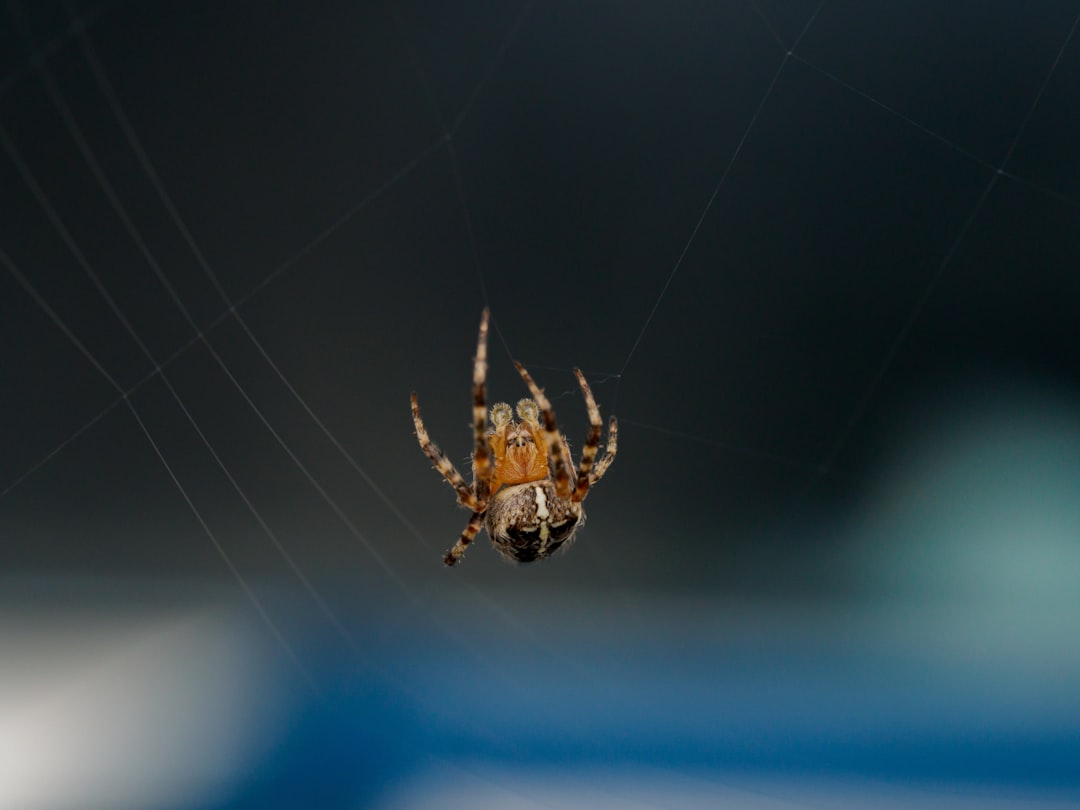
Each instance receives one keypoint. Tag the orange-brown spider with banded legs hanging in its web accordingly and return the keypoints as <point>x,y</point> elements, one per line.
<point>526,491</point>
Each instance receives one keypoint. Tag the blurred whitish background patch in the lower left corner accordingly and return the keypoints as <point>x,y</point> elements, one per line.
<point>133,707</point>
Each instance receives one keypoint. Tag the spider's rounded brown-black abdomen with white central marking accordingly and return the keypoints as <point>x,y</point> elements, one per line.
<point>530,522</point>
